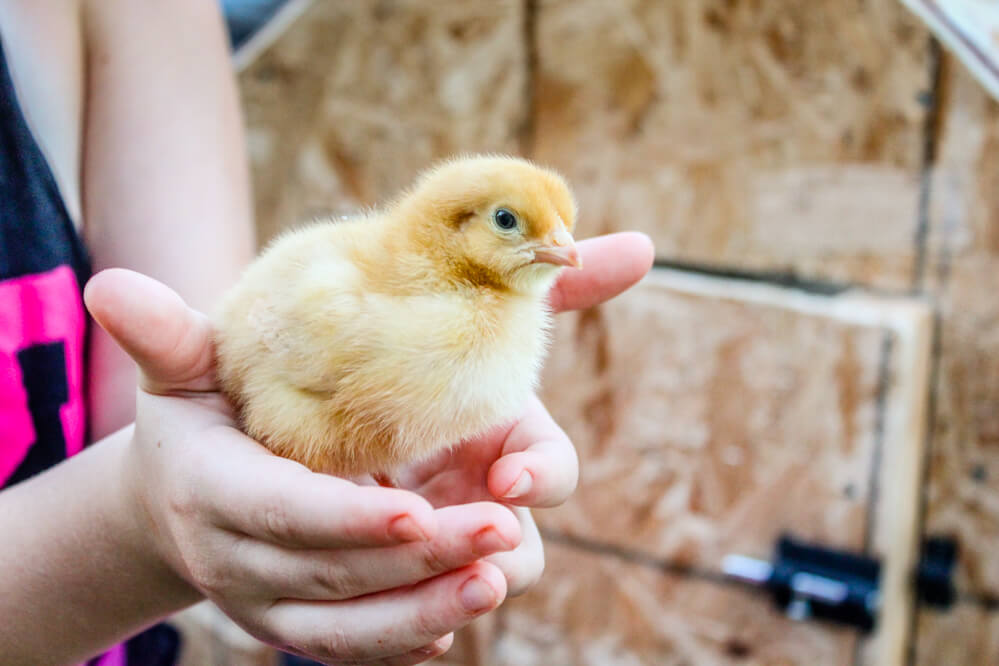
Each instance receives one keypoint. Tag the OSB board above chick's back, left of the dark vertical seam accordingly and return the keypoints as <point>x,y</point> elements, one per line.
<point>355,98</point>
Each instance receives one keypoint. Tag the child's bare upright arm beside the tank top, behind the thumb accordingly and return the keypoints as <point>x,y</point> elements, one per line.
<point>164,172</point>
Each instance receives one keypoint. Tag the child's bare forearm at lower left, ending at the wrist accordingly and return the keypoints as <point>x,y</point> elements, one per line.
<point>79,570</point>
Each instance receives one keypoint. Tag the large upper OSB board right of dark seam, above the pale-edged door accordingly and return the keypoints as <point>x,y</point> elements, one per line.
<point>768,135</point>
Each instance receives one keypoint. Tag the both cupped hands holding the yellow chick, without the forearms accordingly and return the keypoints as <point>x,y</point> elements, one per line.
<point>317,565</point>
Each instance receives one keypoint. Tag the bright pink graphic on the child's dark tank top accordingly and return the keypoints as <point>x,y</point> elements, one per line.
<point>37,309</point>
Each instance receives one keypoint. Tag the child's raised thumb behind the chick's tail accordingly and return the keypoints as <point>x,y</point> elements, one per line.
<point>171,343</point>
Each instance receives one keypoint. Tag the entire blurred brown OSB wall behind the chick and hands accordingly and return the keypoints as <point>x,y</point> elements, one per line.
<point>829,144</point>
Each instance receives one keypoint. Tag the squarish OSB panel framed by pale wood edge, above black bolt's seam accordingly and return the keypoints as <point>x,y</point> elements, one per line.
<point>702,416</point>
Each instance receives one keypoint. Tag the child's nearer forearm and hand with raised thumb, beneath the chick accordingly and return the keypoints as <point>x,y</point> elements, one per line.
<point>183,506</point>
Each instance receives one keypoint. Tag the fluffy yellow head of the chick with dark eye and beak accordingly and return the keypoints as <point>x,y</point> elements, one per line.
<point>497,222</point>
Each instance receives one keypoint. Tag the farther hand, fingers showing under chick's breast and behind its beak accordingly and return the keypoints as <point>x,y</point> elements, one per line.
<point>531,462</point>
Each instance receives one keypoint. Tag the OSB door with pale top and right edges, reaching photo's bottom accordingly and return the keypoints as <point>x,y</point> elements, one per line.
<point>712,415</point>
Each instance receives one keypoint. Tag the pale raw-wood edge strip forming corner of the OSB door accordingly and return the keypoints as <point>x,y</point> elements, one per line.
<point>909,322</point>
